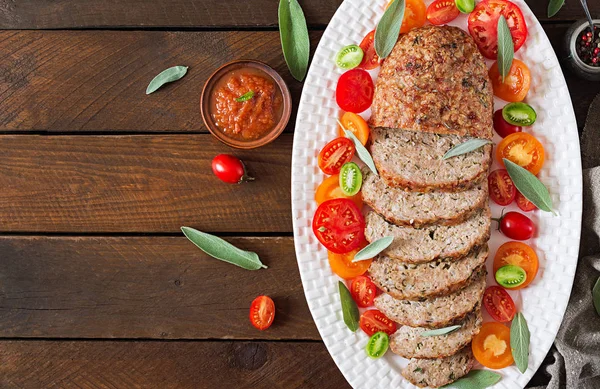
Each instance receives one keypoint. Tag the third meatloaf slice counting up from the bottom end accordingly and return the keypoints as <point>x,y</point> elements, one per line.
<point>435,312</point>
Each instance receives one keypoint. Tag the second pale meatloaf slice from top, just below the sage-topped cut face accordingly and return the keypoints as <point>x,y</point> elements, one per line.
<point>402,207</point>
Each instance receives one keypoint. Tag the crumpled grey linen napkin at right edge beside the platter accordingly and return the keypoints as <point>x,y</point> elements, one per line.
<point>577,346</point>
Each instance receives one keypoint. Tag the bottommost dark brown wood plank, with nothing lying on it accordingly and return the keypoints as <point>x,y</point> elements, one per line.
<point>167,365</point>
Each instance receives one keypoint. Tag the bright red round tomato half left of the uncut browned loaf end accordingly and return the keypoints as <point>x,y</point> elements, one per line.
<point>354,91</point>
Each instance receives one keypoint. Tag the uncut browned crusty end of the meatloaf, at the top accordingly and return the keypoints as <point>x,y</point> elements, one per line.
<point>435,80</point>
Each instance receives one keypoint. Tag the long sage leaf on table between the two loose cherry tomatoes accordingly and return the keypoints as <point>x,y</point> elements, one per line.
<point>223,250</point>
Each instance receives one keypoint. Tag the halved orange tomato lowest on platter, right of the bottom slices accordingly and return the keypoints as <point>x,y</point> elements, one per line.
<point>491,347</point>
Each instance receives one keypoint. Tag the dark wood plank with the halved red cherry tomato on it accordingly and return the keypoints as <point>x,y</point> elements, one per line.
<point>145,287</point>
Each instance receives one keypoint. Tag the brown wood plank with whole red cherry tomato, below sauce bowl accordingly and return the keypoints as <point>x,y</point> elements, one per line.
<point>143,183</point>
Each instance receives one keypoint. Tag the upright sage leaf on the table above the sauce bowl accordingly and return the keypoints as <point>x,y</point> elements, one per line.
<point>293,32</point>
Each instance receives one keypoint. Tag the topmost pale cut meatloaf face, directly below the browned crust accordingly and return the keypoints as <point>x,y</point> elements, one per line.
<point>414,161</point>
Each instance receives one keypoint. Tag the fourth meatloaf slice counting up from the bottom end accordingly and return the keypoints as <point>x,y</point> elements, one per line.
<point>416,281</point>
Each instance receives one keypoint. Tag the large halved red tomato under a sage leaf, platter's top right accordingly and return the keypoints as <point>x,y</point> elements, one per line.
<point>483,25</point>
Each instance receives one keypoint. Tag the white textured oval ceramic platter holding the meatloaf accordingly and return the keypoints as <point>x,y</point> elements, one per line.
<point>557,243</point>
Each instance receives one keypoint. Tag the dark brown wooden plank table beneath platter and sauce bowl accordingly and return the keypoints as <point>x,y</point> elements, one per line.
<point>98,287</point>
